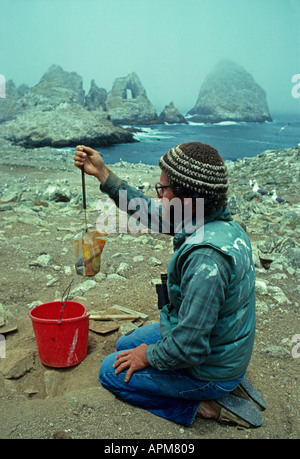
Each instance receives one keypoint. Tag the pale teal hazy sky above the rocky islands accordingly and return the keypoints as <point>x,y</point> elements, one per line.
<point>170,44</point>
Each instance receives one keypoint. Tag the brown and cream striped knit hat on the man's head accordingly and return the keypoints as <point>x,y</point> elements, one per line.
<point>197,167</point>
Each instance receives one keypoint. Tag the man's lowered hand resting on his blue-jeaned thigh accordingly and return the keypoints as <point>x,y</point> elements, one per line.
<point>135,359</point>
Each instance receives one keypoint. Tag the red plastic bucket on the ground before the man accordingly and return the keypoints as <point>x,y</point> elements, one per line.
<point>61,341</point>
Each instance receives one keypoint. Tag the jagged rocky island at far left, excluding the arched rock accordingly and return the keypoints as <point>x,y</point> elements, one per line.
<point>56,113</point>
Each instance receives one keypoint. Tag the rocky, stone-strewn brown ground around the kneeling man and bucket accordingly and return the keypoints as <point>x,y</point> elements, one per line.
<point>37,228</point>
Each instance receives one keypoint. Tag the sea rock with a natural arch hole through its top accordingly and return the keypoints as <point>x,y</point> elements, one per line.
<point>127,102</point>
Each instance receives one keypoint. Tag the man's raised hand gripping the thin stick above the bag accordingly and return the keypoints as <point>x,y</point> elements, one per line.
<point>92,161</point>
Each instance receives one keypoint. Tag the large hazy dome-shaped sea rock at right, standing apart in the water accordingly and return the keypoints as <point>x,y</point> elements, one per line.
<point>229,93</point>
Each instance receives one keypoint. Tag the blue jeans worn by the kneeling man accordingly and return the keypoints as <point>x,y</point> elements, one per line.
<point>170,394</point>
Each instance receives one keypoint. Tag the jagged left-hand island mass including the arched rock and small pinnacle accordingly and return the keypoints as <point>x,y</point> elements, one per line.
<point>56,112</point>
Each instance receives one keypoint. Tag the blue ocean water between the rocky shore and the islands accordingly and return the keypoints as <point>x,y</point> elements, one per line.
<point>232,140</point>
